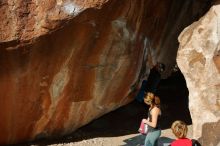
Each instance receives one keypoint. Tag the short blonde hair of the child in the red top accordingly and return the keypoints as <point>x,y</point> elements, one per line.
<point>179,129</point>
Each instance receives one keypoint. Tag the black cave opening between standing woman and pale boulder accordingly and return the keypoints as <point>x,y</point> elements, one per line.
<point>174,98</point>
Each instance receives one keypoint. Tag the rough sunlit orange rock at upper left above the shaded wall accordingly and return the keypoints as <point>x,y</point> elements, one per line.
<point>26,19</point>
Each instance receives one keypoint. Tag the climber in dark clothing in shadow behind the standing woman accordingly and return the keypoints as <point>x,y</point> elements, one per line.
<point>151,84</point>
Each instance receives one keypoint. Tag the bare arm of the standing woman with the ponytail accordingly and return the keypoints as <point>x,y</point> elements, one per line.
<point>154,112</point>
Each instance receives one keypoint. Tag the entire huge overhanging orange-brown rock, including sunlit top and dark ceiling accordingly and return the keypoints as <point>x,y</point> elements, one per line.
<point>64,63</point>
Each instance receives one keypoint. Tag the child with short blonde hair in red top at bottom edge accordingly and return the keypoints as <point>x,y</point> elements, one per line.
<point>180,129</point>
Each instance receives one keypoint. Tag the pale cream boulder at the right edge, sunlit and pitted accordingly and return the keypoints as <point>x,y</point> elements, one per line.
<point>199,59</point>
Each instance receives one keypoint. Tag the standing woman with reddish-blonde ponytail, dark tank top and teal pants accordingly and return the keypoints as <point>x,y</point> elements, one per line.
<point>153,120</point>
